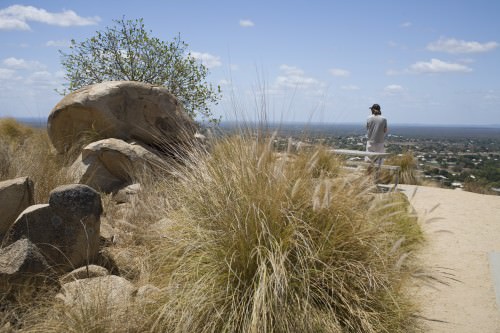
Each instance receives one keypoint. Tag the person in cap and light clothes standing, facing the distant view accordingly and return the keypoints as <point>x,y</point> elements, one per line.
<point>376,128</point>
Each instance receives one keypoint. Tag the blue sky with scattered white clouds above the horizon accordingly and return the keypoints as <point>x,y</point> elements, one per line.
<point>433,62</point>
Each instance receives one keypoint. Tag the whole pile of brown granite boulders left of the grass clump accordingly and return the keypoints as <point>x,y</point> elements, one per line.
<point>114,130</point>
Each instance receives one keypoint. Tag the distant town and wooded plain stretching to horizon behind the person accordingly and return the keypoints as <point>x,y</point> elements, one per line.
<point>449,156</point>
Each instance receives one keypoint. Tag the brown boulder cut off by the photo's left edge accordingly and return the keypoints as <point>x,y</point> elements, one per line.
<point>15,196</point>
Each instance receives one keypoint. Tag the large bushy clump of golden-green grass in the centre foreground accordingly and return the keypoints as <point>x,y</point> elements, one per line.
<point>257,243</point>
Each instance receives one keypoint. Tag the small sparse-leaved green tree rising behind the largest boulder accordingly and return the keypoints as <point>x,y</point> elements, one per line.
<point>128,52</point>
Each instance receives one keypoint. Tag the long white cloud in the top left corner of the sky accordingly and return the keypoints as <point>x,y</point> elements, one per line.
<point>16,17</point>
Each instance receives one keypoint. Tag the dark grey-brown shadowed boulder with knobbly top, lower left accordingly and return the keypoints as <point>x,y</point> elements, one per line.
<point>66,230</point>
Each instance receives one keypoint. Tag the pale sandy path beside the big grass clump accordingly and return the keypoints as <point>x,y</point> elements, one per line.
<point>461,233</point>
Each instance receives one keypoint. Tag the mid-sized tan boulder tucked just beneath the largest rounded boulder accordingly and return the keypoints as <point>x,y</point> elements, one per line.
<point>108,165</point>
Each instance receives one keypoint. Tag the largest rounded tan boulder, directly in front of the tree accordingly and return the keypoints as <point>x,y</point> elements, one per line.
<point>120,109</point>
